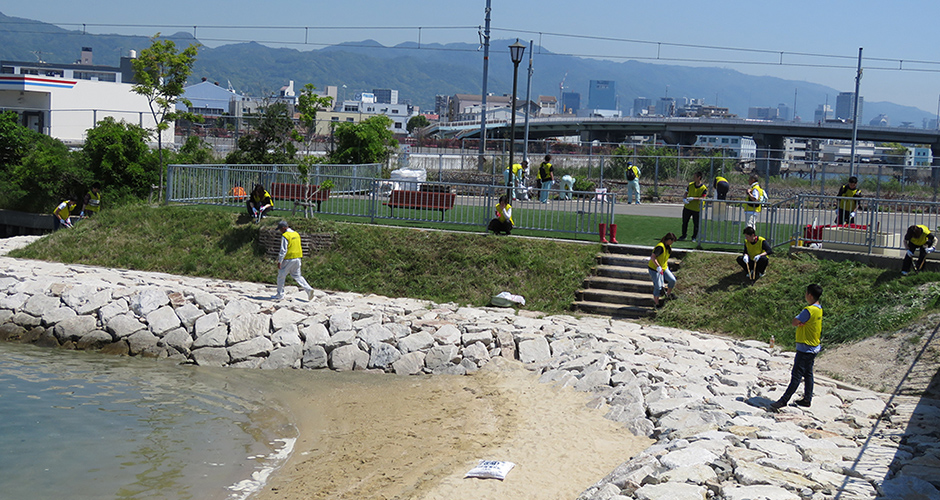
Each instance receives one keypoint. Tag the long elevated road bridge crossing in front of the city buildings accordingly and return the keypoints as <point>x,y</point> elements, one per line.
<point>769,135</point>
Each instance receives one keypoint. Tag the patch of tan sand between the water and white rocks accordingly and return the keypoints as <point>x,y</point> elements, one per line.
<point>392,437</point>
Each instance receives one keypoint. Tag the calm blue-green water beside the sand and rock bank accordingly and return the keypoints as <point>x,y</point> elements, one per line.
<point>82,425</point>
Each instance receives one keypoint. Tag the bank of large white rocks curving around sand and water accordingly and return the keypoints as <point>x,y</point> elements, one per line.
<point>700,397</point>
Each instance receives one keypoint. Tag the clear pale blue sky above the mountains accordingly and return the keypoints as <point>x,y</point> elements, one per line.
<point>817,41</point>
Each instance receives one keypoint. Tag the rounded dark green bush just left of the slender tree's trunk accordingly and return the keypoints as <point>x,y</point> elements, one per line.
<point>116,154</point>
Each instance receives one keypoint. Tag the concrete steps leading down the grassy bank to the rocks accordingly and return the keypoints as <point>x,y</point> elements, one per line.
<point>620,285</point>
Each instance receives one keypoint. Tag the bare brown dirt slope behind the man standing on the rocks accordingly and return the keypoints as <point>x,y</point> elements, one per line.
<point>906,362</point>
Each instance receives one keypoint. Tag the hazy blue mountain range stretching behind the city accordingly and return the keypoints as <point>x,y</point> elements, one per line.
<point>420,73</point>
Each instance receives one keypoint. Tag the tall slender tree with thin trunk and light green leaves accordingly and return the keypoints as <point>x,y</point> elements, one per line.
<point>160,73</point>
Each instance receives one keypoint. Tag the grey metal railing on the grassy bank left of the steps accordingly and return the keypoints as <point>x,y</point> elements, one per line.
<point>369,197</point>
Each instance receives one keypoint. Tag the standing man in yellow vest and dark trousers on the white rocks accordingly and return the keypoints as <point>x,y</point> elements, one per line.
<point>808,335</point>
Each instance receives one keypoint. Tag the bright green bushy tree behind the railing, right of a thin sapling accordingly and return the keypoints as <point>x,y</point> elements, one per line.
<point>369,141</point>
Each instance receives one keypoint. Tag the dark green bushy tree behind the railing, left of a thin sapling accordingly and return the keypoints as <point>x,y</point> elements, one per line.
<point>270,142</point>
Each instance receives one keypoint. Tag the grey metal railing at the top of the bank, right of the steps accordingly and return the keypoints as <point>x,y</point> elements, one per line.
<point>877,225</point>
